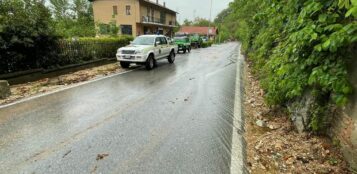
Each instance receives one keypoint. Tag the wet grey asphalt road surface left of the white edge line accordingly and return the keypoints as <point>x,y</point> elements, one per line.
<point>175,119</point>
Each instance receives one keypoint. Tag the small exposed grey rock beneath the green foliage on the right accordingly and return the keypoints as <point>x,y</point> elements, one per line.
<point>300,112</point>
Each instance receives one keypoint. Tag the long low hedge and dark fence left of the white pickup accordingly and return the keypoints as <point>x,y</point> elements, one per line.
<point>67,52</point>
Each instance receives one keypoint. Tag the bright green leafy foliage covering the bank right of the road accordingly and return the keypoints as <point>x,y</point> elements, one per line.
<point>297,45</point>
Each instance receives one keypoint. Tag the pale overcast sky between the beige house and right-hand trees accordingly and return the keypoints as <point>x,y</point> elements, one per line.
<point>186,8</point>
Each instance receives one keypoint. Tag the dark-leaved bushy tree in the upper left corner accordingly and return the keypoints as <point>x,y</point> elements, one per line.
<point>26,37</point>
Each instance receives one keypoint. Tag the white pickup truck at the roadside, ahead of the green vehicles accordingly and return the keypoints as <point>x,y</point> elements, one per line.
<point>146,50</point>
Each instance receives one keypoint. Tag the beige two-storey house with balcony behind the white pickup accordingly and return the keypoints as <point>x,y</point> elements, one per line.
<point>136,17</point>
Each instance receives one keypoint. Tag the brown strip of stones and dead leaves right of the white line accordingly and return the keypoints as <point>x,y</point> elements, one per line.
<point>274,146</point>
